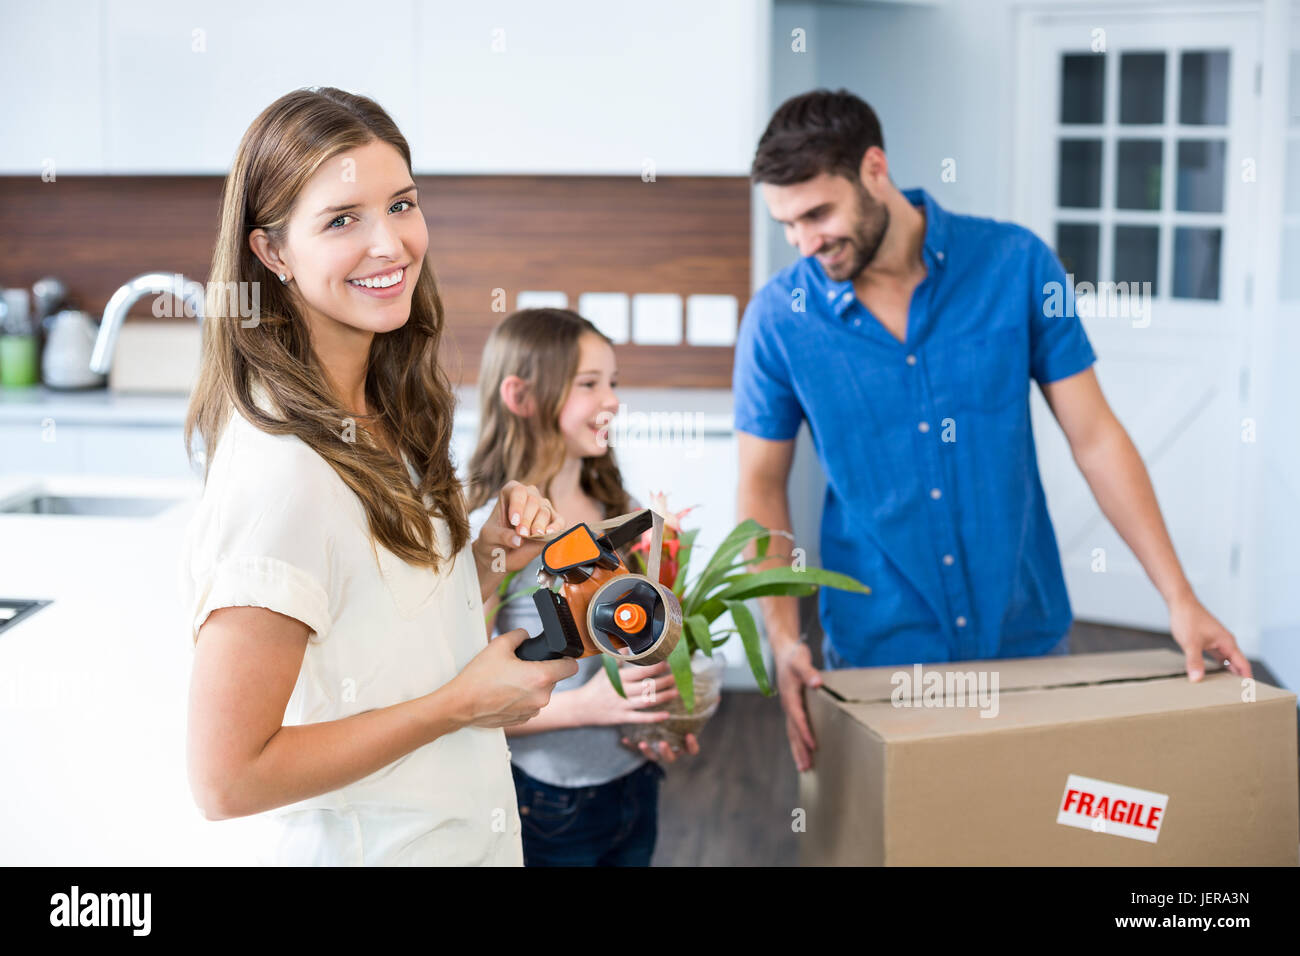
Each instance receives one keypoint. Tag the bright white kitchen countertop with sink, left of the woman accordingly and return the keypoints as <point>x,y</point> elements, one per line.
<point>94,694</point>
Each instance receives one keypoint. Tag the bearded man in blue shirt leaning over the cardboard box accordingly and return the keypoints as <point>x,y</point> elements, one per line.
<point>907,338</point>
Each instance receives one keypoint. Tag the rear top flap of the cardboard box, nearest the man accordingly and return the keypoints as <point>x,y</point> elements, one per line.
<point>1013,674</point>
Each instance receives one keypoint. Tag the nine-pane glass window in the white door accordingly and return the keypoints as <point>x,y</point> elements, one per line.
<point>1142,166</point>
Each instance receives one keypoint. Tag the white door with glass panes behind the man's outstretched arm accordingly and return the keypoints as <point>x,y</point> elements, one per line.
<point>1136,146</point>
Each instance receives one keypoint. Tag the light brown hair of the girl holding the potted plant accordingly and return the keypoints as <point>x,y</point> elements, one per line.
<point>541,347</point>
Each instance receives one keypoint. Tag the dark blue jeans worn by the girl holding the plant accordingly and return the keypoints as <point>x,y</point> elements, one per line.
<point>614,824</point>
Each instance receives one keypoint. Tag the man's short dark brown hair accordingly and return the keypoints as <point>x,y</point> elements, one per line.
<point>814,133</point>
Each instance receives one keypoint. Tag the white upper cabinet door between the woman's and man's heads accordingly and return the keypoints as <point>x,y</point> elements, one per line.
<point>574,88</point>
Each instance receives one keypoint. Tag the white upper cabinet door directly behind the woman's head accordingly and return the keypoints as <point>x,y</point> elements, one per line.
<point>185,80</point>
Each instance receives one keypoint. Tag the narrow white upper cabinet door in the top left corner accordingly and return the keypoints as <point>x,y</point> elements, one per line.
<point>50,72</point>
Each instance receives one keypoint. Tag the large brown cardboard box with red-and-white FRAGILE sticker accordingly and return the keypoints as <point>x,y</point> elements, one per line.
<point>1060,762</point>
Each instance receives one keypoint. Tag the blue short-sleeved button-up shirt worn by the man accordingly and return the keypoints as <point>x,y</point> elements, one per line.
<point>934,498</point>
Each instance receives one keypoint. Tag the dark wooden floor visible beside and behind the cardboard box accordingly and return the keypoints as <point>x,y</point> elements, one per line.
<point>731,806</point>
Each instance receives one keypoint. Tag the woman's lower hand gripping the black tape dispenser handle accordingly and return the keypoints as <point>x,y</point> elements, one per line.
<point>499,690</point>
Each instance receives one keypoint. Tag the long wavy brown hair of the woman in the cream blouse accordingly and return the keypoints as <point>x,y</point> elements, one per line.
<point>406,390</point>
